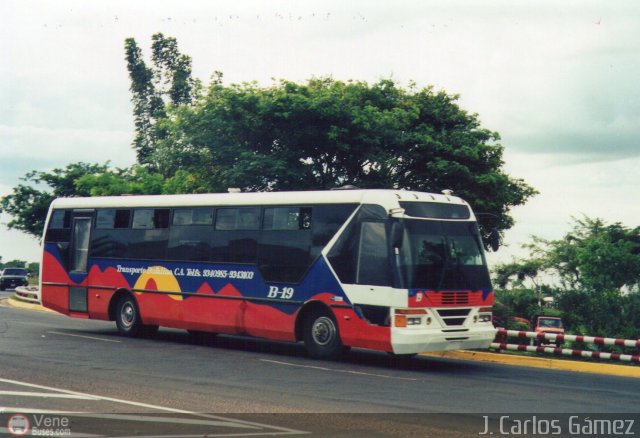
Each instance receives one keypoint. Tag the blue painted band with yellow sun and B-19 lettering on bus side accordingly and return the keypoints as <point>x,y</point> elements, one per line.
<point>185,279</point>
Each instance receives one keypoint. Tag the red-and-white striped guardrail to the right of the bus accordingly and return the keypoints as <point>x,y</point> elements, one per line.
<point>567,351</point>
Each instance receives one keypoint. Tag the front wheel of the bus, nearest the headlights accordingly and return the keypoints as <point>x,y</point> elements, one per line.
<point>321,335</point>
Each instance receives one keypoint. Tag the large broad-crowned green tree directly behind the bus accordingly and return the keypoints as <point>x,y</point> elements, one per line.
<point>326,133</point>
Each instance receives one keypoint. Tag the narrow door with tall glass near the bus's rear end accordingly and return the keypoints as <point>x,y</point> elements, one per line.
<point>79,258</point>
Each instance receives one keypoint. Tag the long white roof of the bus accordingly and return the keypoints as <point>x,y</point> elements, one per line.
<point>386,198</point>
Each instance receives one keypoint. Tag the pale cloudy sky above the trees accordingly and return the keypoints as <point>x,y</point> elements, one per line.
<point>557,80</point>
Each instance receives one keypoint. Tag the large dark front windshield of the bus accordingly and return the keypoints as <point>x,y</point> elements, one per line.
<point>442,255</point>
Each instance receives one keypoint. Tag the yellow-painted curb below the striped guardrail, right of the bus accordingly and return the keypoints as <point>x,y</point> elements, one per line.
<point>540,362</point>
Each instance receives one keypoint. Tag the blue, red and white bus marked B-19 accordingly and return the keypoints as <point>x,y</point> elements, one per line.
<point>396,271</point>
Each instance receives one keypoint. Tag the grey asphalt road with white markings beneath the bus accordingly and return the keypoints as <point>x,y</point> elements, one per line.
<point>79,365</point>
